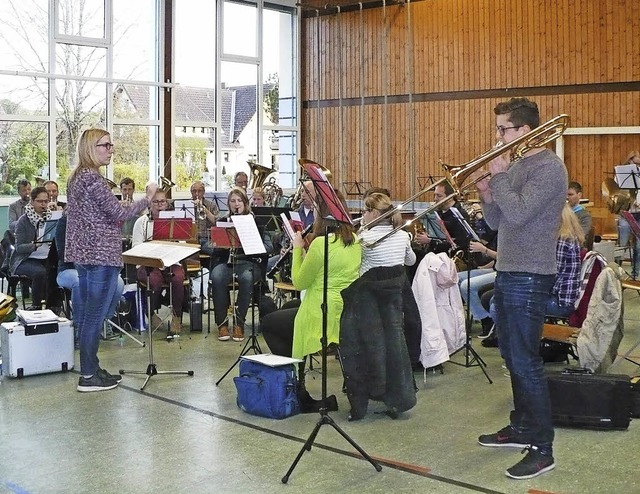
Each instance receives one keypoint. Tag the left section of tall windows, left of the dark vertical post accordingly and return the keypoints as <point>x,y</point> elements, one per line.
<point>89,50</point>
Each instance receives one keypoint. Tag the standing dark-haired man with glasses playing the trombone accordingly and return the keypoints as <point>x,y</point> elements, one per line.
<point>523,201</point>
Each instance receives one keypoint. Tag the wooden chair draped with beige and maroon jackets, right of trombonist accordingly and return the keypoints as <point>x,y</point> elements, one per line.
<point>596,336</point>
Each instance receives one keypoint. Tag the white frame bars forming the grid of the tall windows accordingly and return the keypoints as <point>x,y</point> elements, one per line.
<point>159,86</point>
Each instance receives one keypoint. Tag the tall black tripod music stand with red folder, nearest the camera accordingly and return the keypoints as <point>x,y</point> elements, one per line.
<point>325,193</point>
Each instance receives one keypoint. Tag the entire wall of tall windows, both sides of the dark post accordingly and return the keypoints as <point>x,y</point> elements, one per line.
<point>67,65</point>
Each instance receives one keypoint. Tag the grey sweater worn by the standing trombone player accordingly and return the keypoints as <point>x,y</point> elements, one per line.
<point>526,210</point>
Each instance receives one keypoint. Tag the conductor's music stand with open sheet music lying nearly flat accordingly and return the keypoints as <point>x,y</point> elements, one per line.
<point>156,254</point>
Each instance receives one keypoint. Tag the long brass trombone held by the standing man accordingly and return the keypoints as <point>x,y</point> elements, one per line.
<point>457,175</point>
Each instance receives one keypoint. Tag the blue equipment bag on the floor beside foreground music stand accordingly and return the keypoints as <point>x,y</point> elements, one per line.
<point>267,391</point>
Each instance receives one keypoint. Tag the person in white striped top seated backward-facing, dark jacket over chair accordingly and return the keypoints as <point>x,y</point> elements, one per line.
<point>372,329</point>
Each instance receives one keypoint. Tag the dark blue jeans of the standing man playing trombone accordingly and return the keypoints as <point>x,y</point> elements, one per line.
<point>520,300</point>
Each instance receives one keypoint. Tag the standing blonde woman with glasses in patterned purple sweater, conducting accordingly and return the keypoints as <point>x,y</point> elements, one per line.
<point>94,244</point>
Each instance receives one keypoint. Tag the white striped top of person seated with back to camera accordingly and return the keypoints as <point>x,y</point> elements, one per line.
<point>392,251</point>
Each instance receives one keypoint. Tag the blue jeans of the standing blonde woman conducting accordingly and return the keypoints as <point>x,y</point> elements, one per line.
<point>97,287</point>
